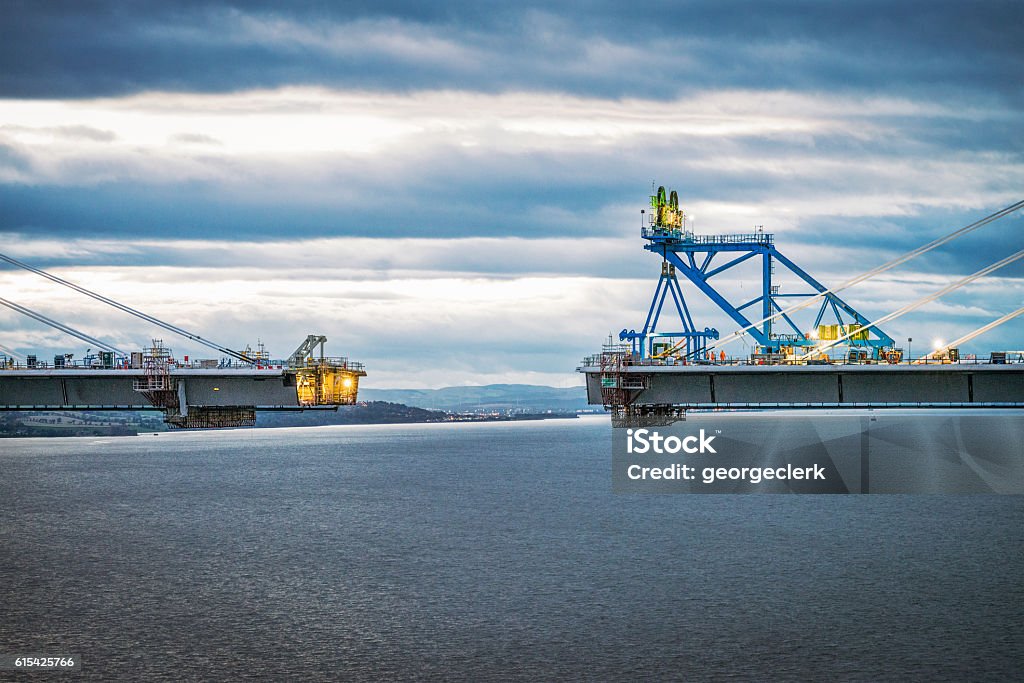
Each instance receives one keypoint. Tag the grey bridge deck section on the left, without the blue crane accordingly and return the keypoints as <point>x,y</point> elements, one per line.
<point>113,390</point>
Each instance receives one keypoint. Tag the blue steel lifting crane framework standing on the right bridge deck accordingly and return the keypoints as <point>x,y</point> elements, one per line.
<point>693,255</point>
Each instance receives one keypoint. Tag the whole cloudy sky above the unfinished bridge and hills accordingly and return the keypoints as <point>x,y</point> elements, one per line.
<point>451,191</point>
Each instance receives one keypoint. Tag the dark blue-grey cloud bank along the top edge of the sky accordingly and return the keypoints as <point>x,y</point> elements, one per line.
<point>612,50</point>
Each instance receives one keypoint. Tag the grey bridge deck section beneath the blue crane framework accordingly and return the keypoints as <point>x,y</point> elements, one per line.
<point>710,387</point>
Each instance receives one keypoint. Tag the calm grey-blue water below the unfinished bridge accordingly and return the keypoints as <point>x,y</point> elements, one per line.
<point>483,552</point>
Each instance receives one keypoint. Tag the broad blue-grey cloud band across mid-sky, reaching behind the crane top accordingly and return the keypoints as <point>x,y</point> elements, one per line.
<point>448,193</point>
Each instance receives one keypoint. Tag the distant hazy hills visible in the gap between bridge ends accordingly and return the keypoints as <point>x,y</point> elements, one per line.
<point>530,398</point>
